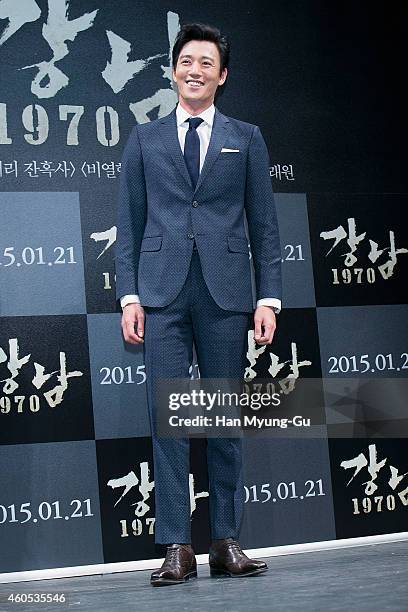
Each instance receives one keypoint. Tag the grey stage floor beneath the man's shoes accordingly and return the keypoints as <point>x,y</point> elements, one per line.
<point>361,578</point>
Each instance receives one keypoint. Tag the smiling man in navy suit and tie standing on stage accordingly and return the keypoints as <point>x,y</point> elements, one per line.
<point>183,276</point>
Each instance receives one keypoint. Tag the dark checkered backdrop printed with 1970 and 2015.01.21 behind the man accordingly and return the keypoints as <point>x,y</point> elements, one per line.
<point>76,480</point>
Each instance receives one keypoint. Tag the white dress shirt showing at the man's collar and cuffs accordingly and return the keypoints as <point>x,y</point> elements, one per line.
<point>204,133</point>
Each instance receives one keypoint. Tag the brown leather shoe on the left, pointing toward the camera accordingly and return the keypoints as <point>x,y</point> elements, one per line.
<point>178,566</point>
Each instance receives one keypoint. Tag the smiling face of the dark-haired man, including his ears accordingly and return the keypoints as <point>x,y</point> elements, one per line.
<point>197,72</point>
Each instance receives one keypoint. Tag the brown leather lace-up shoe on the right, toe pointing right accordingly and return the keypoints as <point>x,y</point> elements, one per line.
<point>227,558</point>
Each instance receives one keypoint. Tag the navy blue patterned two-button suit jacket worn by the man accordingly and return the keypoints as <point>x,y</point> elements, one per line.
<point>160,215</point>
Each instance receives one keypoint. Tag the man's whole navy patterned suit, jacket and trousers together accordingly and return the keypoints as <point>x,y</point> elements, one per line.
<point>185,252</point>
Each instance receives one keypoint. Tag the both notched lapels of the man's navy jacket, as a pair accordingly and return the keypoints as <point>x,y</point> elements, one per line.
<point>168,133</point>
